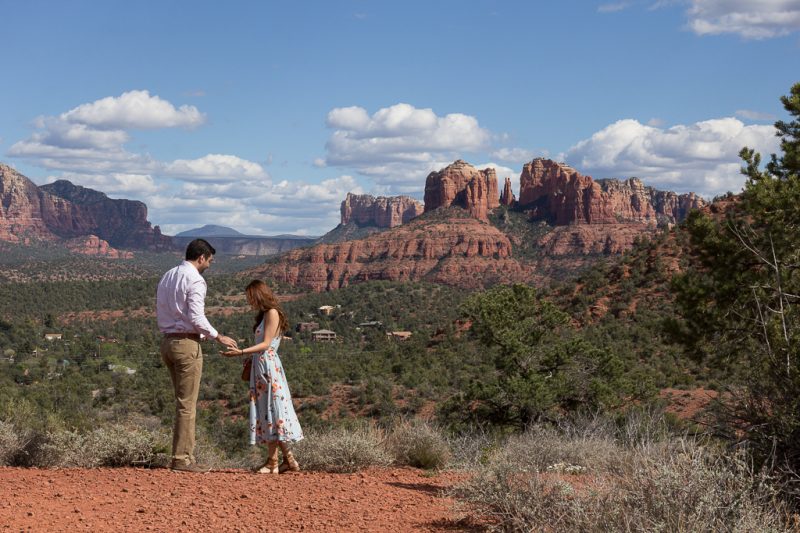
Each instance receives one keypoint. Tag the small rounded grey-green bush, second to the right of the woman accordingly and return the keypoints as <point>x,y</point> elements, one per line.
<point>418,443</point>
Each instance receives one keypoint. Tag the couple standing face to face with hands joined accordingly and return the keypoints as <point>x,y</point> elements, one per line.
<point>180,310</point>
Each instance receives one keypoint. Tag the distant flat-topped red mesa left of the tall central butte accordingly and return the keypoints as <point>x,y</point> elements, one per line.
<point>383,212</point>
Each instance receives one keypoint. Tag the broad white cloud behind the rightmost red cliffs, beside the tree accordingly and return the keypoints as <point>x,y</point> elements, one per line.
<point>700,157</point>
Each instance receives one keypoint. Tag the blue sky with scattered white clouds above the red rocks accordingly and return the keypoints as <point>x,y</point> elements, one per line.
<point>263,115</point>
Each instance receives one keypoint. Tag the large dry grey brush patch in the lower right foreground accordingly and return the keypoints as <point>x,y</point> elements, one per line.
<point>601,479</point>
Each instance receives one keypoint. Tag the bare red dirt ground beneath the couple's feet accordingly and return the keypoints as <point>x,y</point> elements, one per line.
<point>134,499</point>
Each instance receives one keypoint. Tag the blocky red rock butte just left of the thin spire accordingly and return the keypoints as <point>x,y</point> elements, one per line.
<point>463,185</point>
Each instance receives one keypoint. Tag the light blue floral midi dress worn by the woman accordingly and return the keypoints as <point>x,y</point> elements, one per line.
<point>272,415</point>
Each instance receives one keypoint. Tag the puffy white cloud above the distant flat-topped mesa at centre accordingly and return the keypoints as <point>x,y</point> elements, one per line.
<point>400,142</point>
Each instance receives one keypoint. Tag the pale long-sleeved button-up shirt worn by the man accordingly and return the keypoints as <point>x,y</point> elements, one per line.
<point>180,302</point>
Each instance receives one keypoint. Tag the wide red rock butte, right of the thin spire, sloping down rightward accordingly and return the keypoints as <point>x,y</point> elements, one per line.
<point>561,194</point>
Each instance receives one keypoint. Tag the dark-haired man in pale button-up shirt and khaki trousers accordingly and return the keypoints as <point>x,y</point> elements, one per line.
<point>180,309</point>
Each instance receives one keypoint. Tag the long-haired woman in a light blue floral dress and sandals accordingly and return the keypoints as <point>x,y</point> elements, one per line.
<point>272,417</point>
